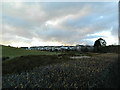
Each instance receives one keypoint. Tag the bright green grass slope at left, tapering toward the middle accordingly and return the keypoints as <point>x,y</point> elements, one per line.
<point>15,52</point>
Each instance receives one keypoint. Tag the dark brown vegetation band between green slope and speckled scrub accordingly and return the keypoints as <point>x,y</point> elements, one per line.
<point>26,63</point>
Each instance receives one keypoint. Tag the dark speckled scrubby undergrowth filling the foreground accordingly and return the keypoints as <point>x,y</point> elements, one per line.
<point>99,71</point>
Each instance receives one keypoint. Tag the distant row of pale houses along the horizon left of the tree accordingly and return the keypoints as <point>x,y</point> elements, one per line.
<point>80,48</point>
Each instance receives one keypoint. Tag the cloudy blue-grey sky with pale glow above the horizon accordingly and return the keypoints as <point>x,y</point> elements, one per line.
<point>60,23</point>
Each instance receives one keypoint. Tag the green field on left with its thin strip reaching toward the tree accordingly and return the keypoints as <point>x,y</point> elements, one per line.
<point>13,52</point>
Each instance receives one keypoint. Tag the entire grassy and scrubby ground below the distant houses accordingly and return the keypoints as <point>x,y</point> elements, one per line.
<point>30,69</point>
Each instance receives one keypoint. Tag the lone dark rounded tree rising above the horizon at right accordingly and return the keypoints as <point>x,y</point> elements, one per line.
<point>99,44</point>
